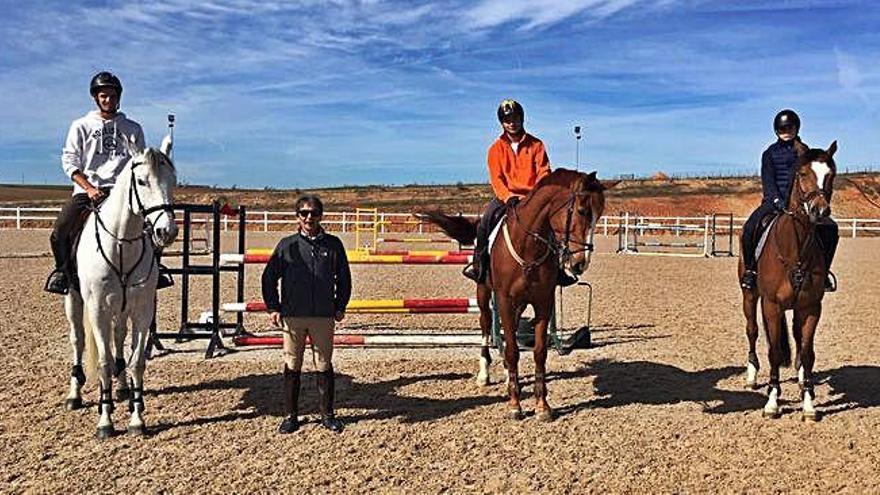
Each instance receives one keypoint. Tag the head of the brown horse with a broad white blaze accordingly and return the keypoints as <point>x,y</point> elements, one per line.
<point>814,181</point>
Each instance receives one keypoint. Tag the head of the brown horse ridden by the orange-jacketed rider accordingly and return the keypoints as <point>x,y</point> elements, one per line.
<point>575,224</point>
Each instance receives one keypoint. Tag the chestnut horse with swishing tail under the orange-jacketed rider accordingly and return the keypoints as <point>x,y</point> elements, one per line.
<point>552,226</point>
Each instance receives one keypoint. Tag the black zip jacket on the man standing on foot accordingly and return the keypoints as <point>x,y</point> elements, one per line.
<point>314,273</point>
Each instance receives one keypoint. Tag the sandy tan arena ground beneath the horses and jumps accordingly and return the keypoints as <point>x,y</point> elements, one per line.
<point>657,406</point>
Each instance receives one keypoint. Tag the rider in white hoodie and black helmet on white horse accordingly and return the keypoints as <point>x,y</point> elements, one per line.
<point>93,156</point>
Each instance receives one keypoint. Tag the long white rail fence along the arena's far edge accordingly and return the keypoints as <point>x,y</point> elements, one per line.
<point>27,218</point>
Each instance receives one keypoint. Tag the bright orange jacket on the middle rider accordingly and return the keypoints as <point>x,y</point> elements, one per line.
<point>515,174</point>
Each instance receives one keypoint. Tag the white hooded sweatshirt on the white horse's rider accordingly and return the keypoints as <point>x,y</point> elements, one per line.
<point>93,148</point>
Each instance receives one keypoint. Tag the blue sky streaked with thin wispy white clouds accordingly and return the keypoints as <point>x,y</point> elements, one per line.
<point>316,93</point>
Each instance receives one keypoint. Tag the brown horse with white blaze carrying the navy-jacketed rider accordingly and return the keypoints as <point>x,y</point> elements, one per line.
<point>791,276</point>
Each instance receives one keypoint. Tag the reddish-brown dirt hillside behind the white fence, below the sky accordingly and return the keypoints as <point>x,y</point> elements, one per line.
<point>657,196</point>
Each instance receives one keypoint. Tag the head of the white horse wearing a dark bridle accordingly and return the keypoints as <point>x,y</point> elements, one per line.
<point>153,178</point>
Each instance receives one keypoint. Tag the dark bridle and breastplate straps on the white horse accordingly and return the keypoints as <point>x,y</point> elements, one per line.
<point>146,233</point>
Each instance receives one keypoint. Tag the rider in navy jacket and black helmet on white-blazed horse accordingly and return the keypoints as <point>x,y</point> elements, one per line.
<point>778,164</point>
